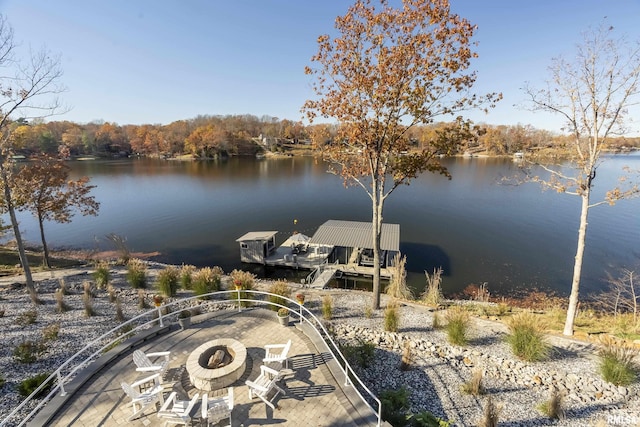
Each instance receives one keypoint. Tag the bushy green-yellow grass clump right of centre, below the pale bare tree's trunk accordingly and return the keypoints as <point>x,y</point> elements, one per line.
<point>526,337</point>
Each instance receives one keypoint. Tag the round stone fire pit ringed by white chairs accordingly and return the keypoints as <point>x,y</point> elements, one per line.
<point>217,364</point>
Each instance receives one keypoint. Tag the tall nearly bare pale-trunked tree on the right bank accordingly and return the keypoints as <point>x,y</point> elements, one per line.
<point>592,93</point>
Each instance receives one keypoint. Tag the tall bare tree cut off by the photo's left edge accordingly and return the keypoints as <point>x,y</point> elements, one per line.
<point>28,89</point>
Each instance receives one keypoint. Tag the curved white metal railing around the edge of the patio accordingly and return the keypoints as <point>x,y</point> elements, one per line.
<point>66,372</point>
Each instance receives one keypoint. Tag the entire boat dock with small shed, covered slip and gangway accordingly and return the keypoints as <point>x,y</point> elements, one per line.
<point>337,248</point>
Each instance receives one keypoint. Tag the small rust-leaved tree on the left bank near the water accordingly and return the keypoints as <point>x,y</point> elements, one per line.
<point>43,188</point>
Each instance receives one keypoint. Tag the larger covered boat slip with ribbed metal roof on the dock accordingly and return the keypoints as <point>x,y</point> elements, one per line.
<point>353,241</point>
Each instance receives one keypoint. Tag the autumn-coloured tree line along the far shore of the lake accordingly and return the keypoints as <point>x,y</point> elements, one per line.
<point>238,135</point>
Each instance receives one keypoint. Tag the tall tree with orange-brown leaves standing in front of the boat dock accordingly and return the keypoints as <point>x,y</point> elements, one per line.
<point>388,70</point>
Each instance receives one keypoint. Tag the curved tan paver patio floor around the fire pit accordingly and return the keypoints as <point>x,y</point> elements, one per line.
<point>315,394</point>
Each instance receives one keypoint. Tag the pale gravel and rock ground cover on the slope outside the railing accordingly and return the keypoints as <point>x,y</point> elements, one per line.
<point>434,379</point>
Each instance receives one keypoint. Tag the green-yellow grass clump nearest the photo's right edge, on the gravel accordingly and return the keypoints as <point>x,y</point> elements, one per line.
<point>617,364</point>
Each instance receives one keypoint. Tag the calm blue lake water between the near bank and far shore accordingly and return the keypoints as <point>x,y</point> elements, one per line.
<point>511,237</point>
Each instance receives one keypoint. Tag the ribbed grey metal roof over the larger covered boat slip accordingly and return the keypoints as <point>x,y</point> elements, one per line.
<point>357,234</point>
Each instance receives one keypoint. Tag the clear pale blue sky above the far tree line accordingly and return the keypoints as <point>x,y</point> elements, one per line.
<point>158,61</point>
